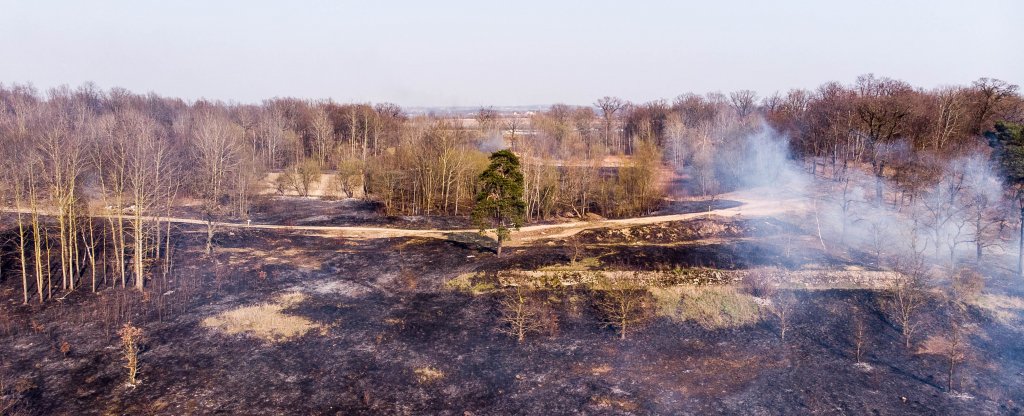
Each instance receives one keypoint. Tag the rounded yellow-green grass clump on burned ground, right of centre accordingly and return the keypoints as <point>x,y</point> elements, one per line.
<point>709,307</point>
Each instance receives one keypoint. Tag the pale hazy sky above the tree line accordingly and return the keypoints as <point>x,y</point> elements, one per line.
<point>509,53</point>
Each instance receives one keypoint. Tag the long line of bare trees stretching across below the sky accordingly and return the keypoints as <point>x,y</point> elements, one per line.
<point>92,175</point>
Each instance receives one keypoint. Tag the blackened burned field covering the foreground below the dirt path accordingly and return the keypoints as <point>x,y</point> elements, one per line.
<point>282,322</point>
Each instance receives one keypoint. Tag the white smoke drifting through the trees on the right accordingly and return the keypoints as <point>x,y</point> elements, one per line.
<point>943,220</point>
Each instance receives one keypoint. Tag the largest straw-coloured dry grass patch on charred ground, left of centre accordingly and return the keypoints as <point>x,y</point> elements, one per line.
<point>266,321</point>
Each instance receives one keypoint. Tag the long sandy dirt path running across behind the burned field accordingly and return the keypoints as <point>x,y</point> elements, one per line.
<point>753,204</point>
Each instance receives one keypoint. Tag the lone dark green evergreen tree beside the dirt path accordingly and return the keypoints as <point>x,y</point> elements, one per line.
<point>500,205</point>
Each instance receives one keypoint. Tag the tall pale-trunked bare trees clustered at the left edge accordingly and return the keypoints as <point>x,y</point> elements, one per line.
<point>91,178</point>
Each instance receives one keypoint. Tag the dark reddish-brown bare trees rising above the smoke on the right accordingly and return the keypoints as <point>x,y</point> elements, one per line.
<point>897,130</point>
